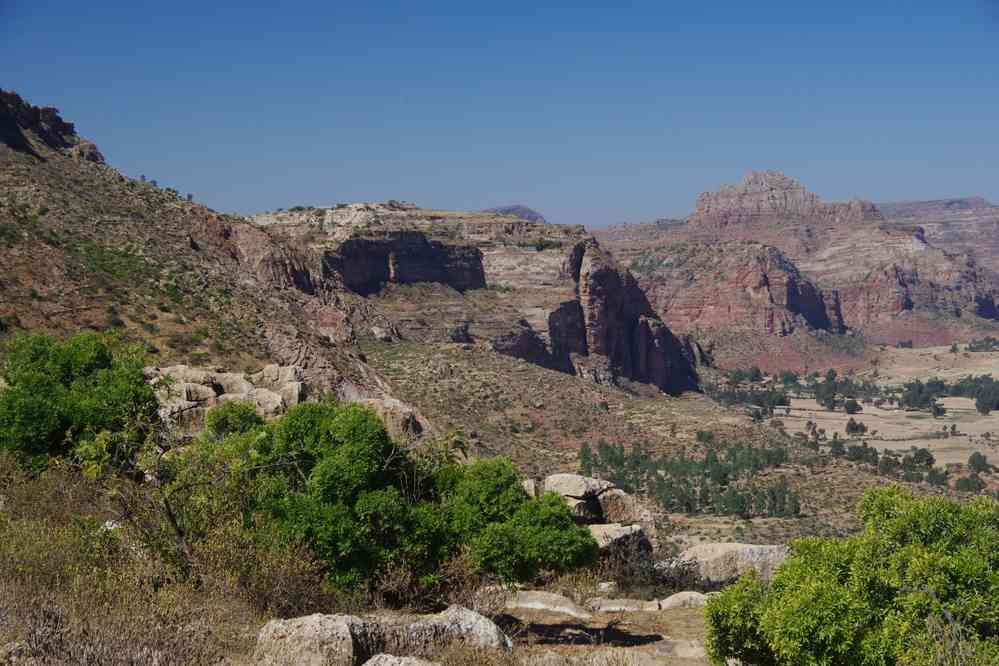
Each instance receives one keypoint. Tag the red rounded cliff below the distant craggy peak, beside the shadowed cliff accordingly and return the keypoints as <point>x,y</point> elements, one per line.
<point>734,285</point>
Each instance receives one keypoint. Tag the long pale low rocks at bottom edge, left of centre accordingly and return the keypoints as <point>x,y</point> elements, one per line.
<point>345,640</point>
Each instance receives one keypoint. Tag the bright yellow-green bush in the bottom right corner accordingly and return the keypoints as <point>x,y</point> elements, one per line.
<point>872,598</point>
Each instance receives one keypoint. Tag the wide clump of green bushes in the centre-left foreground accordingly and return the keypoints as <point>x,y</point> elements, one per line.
<point>329,476</point>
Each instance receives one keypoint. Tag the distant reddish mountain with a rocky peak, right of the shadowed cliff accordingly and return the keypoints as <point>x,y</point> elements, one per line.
<point>887,281</point>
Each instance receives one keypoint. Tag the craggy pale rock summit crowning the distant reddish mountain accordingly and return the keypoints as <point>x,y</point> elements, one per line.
<point>765,195</point>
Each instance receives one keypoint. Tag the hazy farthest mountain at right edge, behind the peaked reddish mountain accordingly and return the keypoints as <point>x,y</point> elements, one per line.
<point>967,225</point>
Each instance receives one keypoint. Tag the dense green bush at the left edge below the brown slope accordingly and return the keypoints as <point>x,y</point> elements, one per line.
<point>86,392</point>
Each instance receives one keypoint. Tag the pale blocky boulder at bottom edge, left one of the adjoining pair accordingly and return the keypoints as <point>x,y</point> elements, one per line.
<point>318,640</point>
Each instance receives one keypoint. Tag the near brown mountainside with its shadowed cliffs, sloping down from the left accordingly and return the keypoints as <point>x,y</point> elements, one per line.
<point>522,334</point>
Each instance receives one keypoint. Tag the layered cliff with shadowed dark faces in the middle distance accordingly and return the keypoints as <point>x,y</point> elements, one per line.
<point>544,293</point>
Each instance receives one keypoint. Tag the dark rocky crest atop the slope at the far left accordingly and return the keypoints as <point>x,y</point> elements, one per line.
<point>22,123</point>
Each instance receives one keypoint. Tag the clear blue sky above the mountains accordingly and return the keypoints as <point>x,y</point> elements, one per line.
<point>591,113</point>
